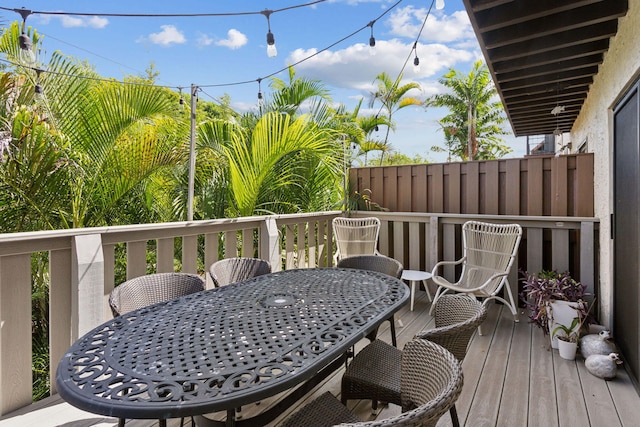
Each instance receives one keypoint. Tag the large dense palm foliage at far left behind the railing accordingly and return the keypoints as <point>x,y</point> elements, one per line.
<point>90,142</point>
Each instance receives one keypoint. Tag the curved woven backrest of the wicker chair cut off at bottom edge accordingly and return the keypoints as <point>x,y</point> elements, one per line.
<point>430,384</point>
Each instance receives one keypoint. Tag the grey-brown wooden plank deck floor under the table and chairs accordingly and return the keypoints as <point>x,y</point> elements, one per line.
<point>512,378</point>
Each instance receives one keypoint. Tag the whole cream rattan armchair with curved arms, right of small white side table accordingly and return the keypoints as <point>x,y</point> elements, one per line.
<point>489,253</point>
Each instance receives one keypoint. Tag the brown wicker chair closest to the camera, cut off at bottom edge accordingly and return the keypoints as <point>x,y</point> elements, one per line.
<point>431,381</point>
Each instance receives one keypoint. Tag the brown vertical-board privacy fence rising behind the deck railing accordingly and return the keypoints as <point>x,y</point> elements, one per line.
<point>533,186</point>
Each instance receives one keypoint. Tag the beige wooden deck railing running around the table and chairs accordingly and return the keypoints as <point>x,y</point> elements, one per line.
<point>83,265</point>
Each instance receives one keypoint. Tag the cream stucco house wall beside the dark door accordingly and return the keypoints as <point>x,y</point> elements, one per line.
<point>620,69</point>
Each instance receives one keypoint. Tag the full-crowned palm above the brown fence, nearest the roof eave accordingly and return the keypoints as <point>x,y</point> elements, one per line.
<point>474,120</point>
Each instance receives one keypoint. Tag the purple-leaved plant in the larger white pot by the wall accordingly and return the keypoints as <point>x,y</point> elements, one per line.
<point>554,299</point>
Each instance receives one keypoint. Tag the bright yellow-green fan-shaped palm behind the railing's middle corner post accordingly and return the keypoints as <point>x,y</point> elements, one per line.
<point>287,166</point>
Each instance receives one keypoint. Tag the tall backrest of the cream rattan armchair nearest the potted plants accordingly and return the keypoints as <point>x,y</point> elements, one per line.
<point>489,249</point>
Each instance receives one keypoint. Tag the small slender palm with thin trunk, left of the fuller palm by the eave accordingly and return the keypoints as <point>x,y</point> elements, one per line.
<point>393,98</point>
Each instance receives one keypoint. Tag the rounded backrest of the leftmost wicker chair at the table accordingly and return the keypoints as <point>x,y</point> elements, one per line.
<point>151,289</point>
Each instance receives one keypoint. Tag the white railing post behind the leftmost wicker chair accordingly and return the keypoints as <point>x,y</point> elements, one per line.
<point>87,285</point>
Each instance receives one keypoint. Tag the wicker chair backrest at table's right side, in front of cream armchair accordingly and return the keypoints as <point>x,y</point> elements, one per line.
<point>457,317</point>
